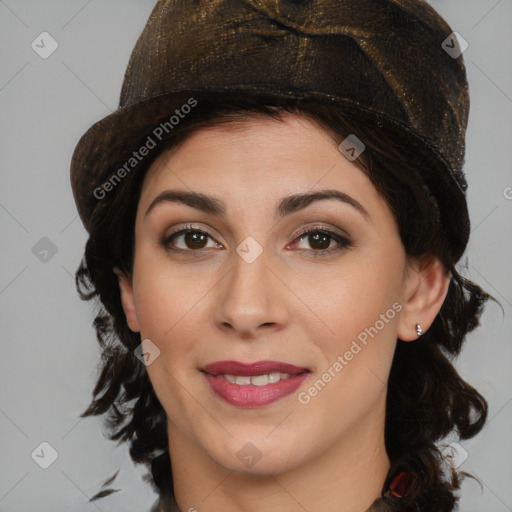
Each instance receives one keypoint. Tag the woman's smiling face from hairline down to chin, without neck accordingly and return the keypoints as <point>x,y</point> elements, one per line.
<point>246,285</point>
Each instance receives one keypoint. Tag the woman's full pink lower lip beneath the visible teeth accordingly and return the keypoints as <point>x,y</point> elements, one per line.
<point>248,396</point>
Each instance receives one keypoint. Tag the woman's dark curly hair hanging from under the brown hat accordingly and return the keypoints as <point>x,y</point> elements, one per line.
<point>427,399</point>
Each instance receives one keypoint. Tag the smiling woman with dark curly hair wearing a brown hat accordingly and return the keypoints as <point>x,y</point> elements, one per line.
<point>275,213</point>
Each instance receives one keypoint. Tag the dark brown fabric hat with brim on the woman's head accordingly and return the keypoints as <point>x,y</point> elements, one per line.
<point>384,60</point>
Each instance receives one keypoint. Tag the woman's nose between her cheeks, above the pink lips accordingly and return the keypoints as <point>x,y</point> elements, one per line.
<point>252,299</point>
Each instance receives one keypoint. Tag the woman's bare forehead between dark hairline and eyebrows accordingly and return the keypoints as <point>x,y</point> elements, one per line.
<point>294,150</point>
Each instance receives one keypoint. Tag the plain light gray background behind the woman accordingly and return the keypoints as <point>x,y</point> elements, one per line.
<point>49,356</point>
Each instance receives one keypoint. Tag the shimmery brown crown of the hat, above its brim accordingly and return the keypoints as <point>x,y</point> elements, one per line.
<point>383,55</point>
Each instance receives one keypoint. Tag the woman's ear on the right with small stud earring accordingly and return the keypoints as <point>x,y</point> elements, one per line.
<point>426,288</point>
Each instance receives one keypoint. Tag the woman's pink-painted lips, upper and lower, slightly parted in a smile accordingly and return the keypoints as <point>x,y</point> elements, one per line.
<point>238,384</point>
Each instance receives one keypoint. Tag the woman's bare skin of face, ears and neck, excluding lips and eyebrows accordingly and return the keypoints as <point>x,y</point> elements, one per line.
<point>285,306</point>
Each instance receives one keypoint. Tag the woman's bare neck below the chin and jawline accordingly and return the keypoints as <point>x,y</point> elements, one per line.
<point>348,476</point>
